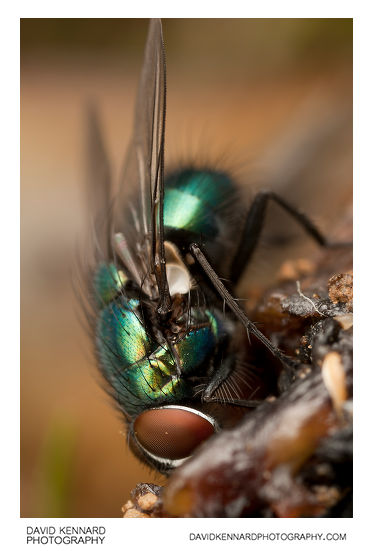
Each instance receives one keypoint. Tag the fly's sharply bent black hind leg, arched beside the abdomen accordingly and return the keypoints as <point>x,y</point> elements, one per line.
<point>254,225</point>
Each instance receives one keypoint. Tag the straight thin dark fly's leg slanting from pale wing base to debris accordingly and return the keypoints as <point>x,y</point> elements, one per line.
<point>236,309</point>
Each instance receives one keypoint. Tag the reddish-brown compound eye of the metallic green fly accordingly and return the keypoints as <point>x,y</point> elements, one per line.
<point>172,433</point>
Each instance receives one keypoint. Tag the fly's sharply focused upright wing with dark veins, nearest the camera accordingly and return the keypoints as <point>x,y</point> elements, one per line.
<point>139,238</point>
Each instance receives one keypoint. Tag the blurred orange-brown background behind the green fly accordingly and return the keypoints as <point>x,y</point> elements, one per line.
<point>248,89</point>
